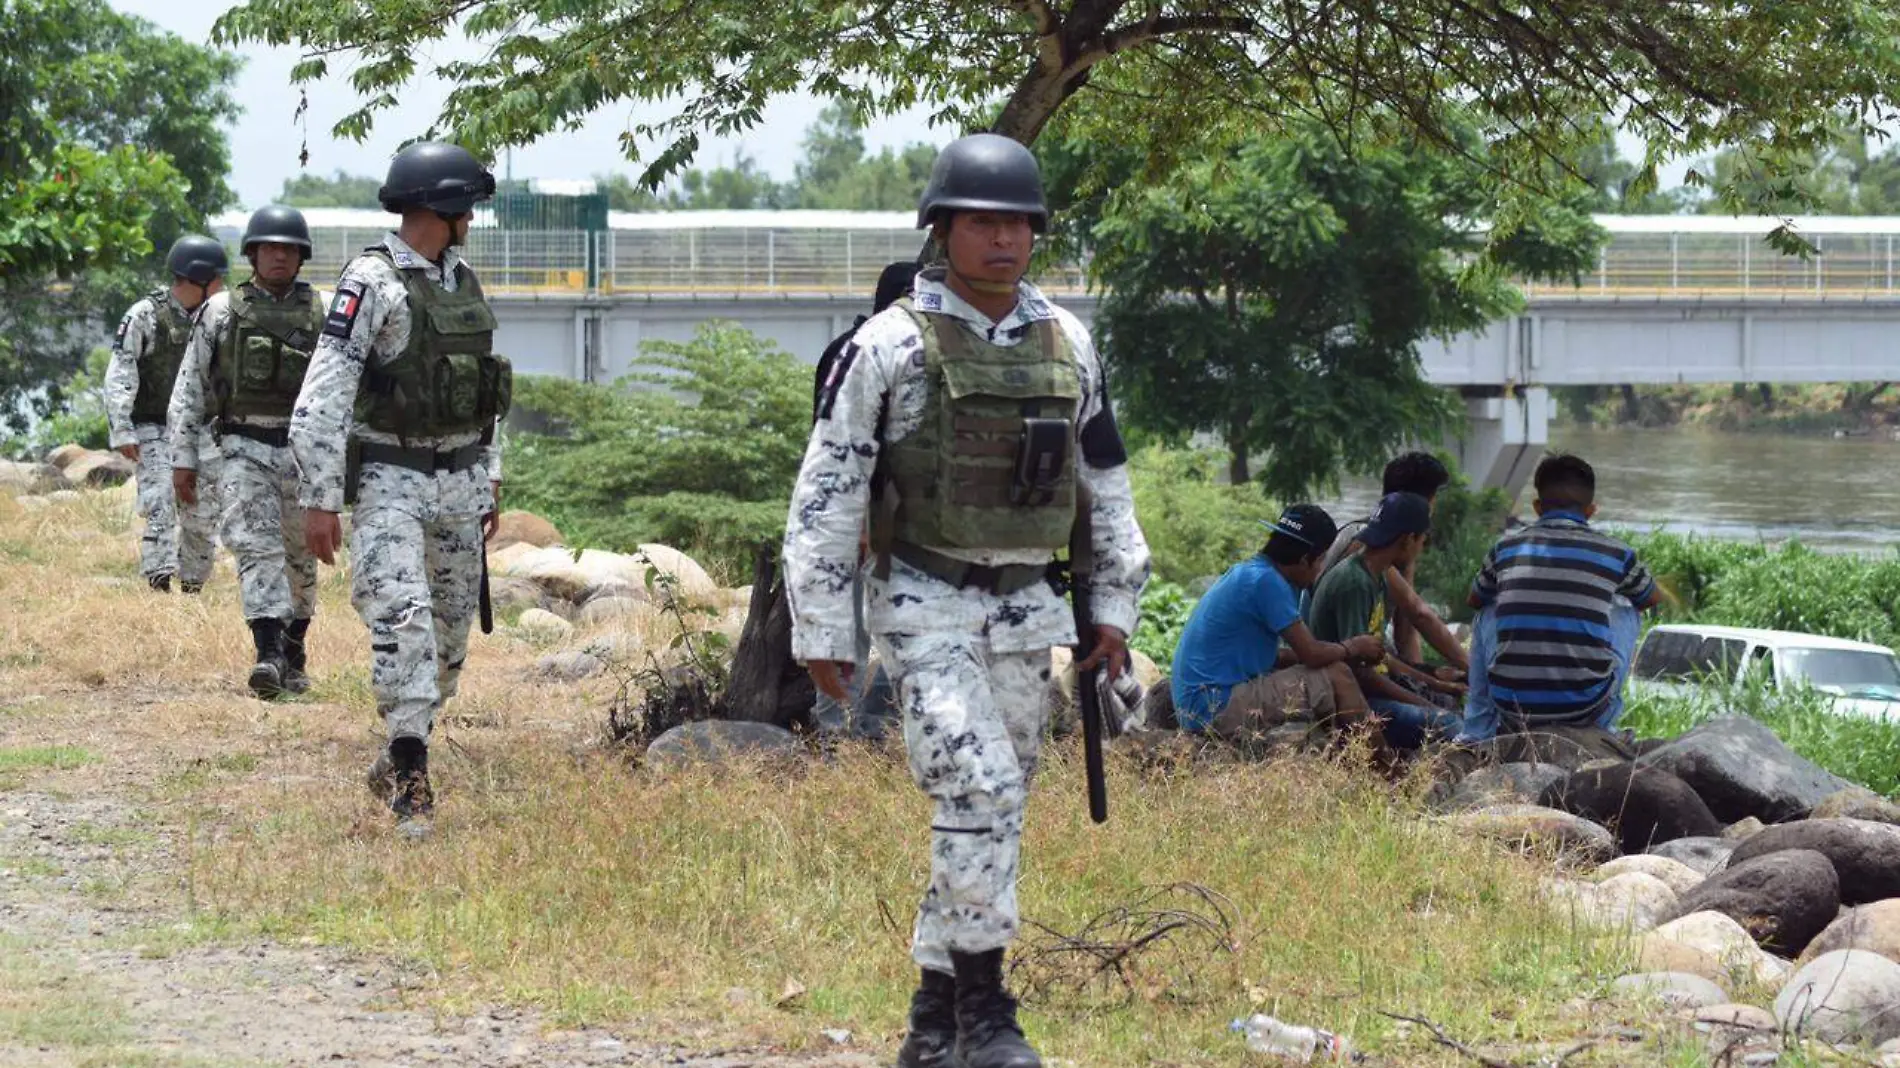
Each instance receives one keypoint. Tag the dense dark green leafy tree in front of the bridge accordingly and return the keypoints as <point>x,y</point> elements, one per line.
<point>1276,296</point>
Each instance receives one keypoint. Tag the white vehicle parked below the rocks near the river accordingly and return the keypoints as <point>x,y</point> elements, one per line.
<point>1686,658</point>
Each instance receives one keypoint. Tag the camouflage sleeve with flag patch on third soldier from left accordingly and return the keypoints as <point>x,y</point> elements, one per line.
<point>320,425</point>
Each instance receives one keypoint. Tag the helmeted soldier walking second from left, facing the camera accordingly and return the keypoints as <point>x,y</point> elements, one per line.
<point>242,370</point>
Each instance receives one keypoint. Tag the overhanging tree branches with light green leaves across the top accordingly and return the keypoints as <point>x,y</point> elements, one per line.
<point>1684,77</point>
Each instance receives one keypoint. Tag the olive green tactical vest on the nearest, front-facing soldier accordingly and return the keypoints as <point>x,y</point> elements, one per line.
<point>955,480</point>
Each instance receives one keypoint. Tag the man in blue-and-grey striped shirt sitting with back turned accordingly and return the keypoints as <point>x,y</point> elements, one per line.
<point>1557,615</point>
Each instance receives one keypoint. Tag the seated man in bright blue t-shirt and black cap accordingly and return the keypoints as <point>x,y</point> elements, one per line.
<point>1247,662</point>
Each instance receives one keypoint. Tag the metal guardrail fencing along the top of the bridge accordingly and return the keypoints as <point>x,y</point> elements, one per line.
<point>846,263</point>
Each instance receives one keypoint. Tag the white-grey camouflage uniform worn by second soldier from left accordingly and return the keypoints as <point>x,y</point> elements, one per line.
<point>263,520</point>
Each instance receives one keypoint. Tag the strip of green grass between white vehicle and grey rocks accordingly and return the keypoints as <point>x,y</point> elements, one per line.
<point>1857,750</point>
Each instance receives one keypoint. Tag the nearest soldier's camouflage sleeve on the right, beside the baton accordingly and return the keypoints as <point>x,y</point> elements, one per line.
<point>1122,562</point>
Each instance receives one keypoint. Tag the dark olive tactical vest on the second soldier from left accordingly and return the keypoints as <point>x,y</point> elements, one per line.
<point>263,356</point>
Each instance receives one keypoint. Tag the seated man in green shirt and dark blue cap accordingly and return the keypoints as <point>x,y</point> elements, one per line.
<point>1354,600</point>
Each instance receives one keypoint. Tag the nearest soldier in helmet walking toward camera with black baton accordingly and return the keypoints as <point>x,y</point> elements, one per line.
<point>966,421</point>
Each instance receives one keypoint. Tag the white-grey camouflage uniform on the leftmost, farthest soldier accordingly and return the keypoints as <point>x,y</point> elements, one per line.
<point>172,544</point>
